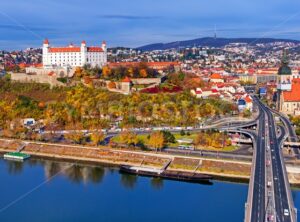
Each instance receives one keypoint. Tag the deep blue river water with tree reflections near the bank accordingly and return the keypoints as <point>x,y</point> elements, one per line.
<point>44,190</point>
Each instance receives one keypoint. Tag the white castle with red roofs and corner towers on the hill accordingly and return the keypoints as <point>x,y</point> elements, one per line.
<point>74,56</point>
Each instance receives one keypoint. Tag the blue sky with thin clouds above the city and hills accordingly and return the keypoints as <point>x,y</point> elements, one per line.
<point>133,23</point>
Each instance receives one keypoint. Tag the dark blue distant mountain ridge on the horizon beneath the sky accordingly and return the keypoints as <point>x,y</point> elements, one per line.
<point>211,42</point>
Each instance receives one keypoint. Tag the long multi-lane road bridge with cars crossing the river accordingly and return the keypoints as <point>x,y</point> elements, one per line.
<point>269,194</point>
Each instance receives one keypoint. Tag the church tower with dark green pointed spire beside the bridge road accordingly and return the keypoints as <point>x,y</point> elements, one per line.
<point>284,79</point>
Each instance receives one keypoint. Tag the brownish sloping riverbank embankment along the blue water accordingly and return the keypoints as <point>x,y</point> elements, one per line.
<point>232,170</point>
